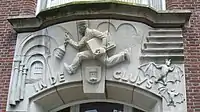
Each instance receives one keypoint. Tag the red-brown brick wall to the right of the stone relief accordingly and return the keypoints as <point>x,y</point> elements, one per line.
<point>192,51</point>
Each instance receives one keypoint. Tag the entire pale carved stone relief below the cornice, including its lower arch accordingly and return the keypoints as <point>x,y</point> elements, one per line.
<point>117,72</point>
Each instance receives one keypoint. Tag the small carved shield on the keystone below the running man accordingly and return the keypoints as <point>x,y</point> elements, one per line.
<point>93,74</point>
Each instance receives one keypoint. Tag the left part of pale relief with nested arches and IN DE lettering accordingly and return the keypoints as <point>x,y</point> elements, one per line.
<point>38,64</point>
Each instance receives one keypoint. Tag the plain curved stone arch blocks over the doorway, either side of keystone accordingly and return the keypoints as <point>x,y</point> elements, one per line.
<point>63,96</point>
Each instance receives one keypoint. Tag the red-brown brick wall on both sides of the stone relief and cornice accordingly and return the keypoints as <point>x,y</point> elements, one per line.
<point>27,7</point>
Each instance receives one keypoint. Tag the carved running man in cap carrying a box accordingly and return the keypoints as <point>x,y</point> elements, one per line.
<point>97,45</point>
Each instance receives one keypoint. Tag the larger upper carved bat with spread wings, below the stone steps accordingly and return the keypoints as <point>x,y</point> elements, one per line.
<point>162,74</point>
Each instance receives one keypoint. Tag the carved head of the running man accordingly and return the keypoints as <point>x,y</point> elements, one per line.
<point>82,25</point>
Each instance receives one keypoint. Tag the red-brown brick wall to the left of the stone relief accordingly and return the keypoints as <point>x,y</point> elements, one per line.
<point>8,40</point>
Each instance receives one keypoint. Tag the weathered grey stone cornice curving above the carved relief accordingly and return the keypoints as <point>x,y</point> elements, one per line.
<point>100,10</point>
